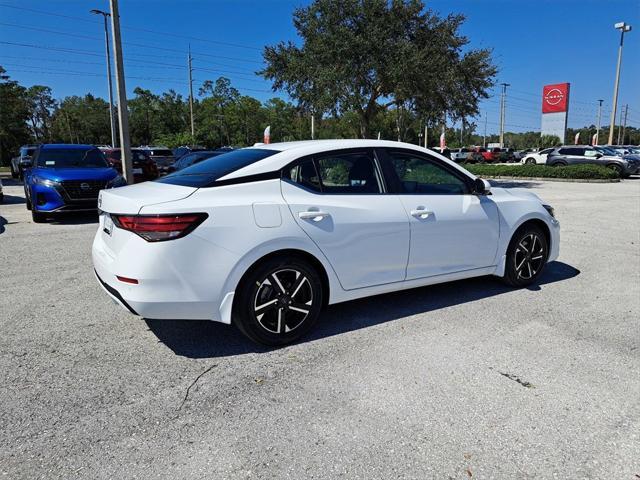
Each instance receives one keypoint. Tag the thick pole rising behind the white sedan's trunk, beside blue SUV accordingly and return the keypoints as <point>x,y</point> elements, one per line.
<point>123,113</point>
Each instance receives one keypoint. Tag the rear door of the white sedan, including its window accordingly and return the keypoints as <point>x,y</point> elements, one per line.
<point>340,201</point>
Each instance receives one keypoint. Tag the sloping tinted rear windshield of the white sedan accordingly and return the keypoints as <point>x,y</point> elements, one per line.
<point>205,173</point>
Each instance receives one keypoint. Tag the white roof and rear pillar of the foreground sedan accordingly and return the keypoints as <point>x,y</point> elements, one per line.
<point>287,152</point>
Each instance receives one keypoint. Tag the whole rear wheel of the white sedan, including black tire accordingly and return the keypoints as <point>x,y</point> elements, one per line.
<point>272,297</point>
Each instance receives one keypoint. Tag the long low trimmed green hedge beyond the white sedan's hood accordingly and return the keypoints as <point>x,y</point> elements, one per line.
<point>588,172</point>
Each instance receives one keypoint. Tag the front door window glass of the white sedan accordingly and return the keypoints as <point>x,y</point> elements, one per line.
<point>419,175</point>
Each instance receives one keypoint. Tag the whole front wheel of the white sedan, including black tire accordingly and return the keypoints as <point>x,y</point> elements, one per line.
<point>526,256</point>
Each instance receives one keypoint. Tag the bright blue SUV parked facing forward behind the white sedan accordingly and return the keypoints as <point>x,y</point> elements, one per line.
<point>67,178</point>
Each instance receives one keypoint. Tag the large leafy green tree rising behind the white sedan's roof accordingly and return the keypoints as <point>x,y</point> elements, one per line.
<point>368,55</point>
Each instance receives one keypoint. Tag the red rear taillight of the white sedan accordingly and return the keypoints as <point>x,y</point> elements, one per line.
<point>157,228</point>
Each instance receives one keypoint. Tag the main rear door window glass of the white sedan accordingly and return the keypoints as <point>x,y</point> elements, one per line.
<point>352,173</point>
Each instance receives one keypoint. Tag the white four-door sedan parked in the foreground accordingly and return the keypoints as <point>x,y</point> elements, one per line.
<point>264,237</point>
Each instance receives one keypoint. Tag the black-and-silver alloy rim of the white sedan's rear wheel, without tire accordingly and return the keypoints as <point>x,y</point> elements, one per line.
<point>283,300</point>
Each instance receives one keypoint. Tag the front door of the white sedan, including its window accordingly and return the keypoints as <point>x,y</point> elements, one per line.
<point>452,230</point>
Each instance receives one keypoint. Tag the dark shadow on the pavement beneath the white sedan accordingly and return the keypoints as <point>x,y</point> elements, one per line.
<point>205,339</point>
